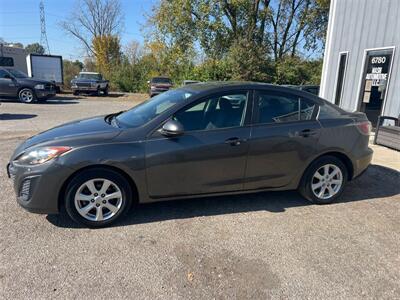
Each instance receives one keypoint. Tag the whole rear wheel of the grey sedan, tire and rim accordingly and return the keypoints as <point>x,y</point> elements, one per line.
<point>324,180</point>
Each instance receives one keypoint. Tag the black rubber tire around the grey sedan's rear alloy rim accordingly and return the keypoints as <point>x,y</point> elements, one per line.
<point>305,187</point>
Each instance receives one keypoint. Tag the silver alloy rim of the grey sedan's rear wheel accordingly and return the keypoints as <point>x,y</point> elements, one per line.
<point>327,181</point>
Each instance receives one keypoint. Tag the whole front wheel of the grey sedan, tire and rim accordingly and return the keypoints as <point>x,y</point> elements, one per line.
<point>98,197</point>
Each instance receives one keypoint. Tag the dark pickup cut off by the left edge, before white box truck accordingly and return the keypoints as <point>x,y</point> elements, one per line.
<point>14,83</point>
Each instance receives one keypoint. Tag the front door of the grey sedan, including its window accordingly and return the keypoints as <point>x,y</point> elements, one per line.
<point>210,156</point>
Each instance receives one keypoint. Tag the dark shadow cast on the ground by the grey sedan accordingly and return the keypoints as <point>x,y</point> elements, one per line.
<point>377,182</point>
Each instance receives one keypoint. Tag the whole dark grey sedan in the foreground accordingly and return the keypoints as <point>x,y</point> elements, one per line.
<point>195,141</point>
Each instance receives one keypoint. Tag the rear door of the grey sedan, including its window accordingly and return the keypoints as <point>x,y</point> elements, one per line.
<point>283,138</point>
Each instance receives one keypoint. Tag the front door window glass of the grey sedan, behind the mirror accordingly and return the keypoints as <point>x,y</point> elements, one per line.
<point>215,112</point>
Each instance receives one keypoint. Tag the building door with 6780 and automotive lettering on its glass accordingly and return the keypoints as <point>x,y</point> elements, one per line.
<point>375,83</point>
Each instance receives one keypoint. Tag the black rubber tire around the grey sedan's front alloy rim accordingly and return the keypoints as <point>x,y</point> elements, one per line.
<point>90,174</point>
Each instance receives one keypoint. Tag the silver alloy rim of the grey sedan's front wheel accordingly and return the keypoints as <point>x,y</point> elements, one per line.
<point>98,199</point>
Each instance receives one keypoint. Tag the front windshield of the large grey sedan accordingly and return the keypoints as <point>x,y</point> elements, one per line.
<point>148,110</point>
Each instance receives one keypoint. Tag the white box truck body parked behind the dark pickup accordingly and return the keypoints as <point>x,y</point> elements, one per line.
<point>46,67</point>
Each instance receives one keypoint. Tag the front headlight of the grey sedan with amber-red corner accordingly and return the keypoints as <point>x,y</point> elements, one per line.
<point>41,155</point>
